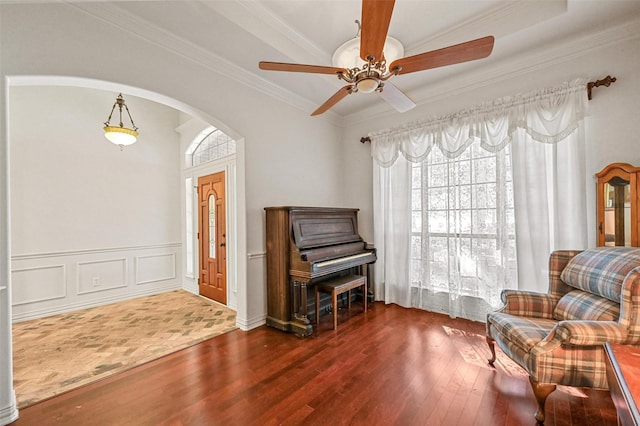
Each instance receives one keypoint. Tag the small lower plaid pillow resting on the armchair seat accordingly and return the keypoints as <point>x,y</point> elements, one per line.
<point>580,305</point>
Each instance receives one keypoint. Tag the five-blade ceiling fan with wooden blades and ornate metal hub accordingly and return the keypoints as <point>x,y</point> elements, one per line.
<point>373,76</point>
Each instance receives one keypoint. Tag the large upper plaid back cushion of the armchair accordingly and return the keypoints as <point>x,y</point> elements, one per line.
<point>601,270</point>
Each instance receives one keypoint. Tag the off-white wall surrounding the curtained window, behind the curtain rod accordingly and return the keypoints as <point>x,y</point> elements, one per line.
<point>611,129</point>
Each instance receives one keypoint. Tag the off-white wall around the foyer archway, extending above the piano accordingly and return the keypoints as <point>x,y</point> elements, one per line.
<point>290,158</point>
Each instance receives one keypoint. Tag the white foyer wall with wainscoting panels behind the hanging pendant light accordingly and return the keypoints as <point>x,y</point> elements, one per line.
<point>91,224</point>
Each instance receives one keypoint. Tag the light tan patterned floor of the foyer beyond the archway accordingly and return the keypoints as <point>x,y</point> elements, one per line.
<point>61,352</point>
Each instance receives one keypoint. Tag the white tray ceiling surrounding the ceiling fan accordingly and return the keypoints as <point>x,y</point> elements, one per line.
<point>232,36</point>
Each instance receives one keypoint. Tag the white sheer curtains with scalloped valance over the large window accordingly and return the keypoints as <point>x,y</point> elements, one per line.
<point>528,147</point>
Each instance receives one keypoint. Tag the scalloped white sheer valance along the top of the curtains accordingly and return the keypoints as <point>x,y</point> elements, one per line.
<point>547,115</point>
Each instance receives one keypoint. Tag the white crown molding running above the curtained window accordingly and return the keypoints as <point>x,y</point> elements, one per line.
<point>525,63</point>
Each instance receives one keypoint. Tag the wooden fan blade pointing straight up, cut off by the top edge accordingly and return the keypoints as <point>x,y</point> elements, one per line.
<point>376,16</point>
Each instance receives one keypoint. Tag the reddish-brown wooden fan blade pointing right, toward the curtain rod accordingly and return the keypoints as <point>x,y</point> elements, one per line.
<point>463,52</point>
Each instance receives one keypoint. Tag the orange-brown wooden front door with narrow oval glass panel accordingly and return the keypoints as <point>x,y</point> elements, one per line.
<point>212,237</point>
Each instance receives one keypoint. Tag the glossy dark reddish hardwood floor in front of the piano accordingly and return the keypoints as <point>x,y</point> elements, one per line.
<point>390,366</point>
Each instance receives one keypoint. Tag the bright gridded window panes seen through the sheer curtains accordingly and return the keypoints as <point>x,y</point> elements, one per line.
<point>463,226</point>
